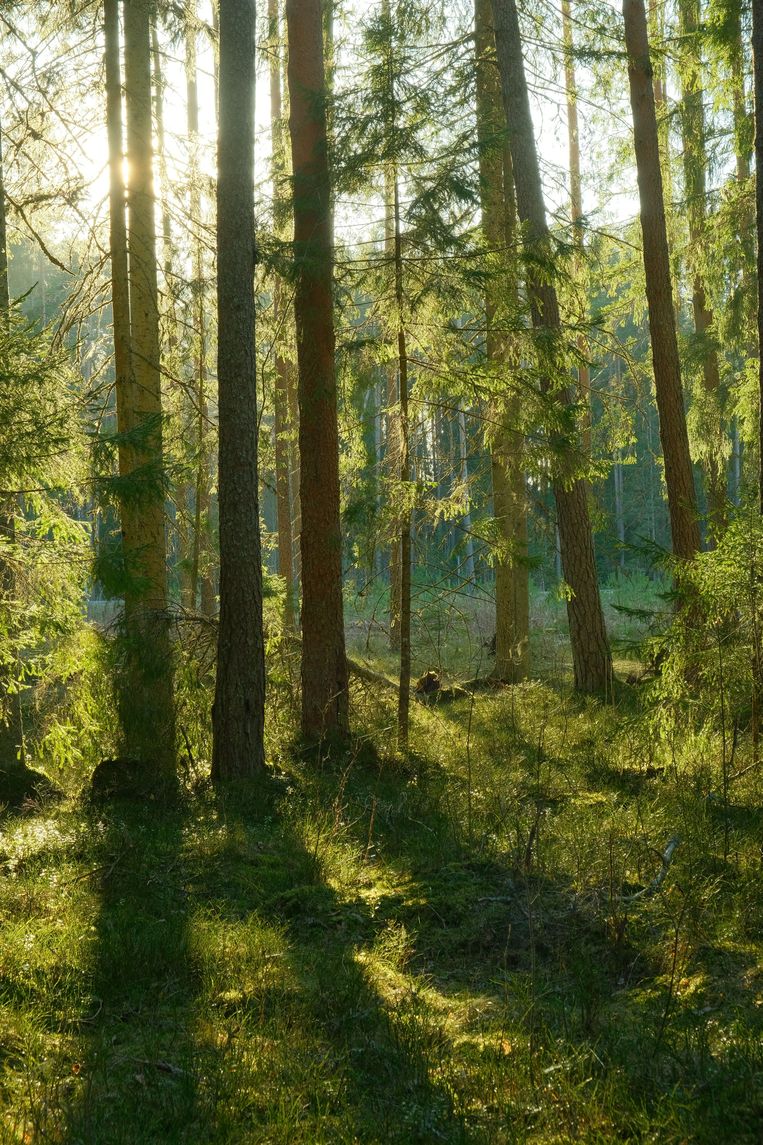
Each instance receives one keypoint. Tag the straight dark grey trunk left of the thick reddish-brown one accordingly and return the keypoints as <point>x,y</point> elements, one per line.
<point>239,713</point>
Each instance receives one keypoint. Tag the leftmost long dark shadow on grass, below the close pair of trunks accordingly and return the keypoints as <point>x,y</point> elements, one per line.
<point>138,1070</point>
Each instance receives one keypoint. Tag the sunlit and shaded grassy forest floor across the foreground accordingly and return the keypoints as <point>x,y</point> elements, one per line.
<point>484,943</point>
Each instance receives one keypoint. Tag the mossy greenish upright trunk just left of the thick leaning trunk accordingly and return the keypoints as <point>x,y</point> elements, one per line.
<point>508,477</point>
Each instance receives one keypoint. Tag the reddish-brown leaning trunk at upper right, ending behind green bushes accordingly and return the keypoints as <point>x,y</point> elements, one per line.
<point>682,506</point>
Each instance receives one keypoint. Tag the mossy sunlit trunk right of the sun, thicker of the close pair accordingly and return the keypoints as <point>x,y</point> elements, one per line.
<point>146,698</point>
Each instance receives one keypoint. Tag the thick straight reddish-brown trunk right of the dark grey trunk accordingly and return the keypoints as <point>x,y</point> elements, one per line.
<point>325,665</point>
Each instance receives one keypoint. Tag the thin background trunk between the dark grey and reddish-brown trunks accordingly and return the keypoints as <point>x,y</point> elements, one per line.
<point>282,429</point>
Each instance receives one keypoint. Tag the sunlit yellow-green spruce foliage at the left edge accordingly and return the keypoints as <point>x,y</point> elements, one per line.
<point>44,559</point>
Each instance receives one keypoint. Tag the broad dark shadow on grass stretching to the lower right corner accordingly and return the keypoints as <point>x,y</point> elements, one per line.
<point>581,981</point>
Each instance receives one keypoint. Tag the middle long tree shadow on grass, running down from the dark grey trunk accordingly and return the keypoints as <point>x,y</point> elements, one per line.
<point>360,1069</point>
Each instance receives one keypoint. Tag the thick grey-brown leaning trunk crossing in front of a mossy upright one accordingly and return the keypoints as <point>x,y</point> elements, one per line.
<point>592,660</point>
